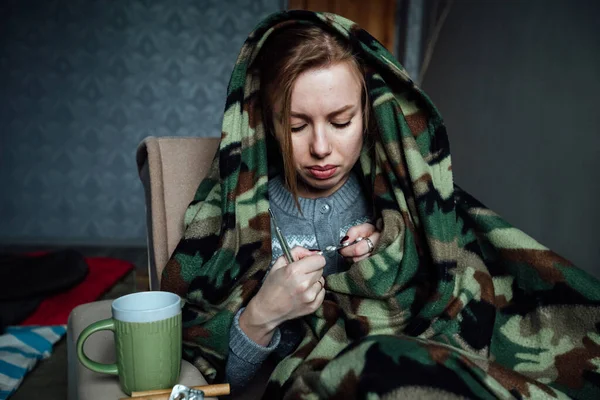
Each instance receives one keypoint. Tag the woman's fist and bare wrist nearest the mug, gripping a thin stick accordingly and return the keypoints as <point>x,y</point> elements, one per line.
<point>288,292</point>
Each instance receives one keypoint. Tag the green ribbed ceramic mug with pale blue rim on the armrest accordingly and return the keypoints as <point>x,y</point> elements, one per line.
<point>147,331</point>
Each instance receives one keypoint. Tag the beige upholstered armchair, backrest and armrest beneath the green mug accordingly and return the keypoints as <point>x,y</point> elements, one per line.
<point>170,169</point>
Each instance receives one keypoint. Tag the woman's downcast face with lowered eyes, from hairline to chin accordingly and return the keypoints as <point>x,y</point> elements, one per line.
<point>327,128</point>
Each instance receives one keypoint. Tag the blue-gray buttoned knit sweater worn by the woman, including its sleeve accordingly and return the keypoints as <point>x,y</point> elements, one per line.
<point>323,222</point>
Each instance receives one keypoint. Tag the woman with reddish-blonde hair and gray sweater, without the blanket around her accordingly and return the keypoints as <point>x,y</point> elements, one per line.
<point>316,101</point>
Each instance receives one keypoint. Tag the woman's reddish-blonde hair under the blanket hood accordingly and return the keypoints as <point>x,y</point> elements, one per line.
<point>287,54</point>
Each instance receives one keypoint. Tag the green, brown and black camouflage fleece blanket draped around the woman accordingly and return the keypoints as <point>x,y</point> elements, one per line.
<point>454,302</point>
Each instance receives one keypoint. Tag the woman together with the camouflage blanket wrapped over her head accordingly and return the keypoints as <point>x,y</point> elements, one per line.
<point>445,299</point>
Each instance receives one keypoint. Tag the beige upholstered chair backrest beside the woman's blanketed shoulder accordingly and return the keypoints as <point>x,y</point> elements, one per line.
<point>171,169</point>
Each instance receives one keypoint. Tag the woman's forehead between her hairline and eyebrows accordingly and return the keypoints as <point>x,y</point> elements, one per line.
<point>322,90</point>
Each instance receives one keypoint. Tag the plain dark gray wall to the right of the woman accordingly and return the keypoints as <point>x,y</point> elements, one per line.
<point>518,83</point>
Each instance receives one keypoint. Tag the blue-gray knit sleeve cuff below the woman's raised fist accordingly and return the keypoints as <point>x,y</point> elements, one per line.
<point>245,356</point>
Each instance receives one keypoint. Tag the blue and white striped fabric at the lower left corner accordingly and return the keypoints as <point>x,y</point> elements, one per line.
<point>20,349</point>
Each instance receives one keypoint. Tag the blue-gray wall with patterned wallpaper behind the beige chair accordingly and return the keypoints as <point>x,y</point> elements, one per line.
<point>83,82</point>
